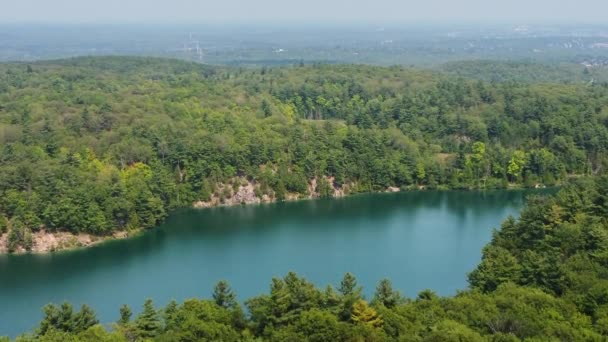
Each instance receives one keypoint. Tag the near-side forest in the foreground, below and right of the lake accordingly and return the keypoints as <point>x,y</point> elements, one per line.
<point>542,278</point>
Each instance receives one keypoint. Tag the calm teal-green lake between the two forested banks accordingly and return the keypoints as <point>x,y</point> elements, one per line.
<point>418,240</point>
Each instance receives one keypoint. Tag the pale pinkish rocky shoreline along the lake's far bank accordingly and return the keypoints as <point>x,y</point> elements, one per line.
<point>61,241</point>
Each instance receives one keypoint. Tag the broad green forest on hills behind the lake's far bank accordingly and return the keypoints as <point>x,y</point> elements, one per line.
<point>103,144</point>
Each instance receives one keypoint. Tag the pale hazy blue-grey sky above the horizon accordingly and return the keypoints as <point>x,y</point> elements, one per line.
<point>305,11</point>
